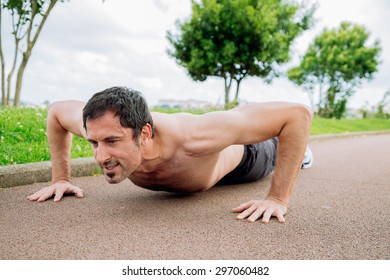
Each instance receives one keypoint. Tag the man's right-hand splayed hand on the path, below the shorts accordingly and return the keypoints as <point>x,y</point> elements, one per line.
<point>267,208</point>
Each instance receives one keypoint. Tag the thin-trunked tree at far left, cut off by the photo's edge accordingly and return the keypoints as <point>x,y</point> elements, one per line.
<point>28,18</point>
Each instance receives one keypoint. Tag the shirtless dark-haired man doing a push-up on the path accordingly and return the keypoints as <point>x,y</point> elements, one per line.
<point>182,152</point>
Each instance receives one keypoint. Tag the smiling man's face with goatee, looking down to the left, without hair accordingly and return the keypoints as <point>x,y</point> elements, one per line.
<point>114,148</point>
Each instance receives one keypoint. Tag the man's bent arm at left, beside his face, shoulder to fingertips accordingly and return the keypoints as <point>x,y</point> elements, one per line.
<point>64,119</point>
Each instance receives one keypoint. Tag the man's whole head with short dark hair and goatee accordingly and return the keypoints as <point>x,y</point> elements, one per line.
<point>118,125</point>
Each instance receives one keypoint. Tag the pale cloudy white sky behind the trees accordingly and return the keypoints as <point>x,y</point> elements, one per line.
<point>87,46</point>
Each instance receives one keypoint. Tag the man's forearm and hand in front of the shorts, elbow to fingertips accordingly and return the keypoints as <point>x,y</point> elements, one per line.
<point>293,137</point>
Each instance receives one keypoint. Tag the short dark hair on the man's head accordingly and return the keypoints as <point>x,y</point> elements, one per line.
<point>128,104</point>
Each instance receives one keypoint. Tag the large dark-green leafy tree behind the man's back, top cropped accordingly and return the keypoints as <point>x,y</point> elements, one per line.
<point>234,39</point>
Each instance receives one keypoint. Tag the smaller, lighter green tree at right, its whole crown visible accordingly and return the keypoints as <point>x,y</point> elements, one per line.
<point>335,65</point>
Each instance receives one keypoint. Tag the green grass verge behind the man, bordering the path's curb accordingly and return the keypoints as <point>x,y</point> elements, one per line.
<point>23,134</point>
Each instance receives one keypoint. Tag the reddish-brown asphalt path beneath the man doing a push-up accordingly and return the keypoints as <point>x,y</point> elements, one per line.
<point>340,210</point>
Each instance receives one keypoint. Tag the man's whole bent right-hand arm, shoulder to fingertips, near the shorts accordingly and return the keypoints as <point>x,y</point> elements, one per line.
<point>255,123</point>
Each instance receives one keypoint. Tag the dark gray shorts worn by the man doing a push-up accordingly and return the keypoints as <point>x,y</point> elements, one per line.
<point>258,161</point>
